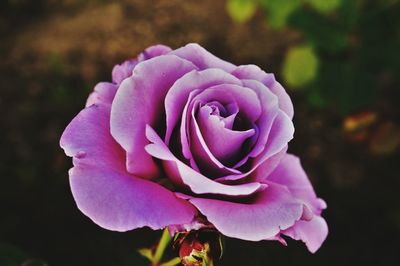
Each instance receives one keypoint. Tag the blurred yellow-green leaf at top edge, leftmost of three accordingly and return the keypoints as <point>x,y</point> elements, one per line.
<point>241,10</point>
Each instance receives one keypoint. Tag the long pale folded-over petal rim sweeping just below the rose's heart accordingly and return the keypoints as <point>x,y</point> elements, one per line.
<point>183,174</point>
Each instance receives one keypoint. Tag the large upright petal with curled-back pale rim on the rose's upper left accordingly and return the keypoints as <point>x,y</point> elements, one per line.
<point>139,101</point>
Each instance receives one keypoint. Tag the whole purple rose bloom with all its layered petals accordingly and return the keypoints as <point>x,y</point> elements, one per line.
<point>185,140</point>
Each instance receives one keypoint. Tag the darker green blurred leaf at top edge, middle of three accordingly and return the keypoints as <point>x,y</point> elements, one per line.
<point>279,11</point>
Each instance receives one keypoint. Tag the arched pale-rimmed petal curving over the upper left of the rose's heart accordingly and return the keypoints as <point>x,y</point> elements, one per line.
<point>178,95</point>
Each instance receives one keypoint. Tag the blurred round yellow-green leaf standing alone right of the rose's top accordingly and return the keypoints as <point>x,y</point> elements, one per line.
<point>300,66</point>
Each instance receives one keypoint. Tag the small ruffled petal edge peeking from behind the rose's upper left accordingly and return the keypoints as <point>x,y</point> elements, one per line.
<point>124,70</point>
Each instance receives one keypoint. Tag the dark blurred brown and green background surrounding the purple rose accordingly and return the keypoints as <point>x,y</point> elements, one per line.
<point>338,59</point>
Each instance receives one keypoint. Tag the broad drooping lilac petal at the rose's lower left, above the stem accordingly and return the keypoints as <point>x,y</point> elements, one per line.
<point>122,202</point>
